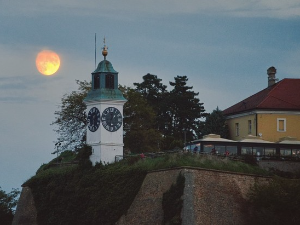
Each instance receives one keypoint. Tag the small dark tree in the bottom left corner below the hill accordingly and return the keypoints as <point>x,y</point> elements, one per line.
<point>7,204</point>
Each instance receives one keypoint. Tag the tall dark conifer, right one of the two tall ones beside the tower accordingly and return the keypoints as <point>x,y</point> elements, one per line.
<point>184,110</point>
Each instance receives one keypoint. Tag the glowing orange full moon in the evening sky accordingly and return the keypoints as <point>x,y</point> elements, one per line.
<point>47,62</point>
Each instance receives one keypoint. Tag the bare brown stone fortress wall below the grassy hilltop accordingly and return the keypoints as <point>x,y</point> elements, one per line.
<point>210,197</point>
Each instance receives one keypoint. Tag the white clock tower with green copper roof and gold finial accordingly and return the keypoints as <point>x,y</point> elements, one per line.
<point>105,114</point>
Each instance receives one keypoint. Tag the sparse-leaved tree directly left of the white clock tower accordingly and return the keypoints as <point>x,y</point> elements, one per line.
<point>71,119</point>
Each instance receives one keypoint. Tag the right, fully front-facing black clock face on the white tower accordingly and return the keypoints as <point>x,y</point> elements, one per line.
<point>111,119</point>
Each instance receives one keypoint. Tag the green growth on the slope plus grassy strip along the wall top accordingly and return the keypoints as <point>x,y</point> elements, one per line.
<point>82,194</point>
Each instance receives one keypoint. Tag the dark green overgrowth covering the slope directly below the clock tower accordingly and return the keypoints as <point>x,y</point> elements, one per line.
<point>72,195</point>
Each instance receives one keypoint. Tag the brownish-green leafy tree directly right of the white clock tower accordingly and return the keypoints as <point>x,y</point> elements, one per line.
<point>139,123</point>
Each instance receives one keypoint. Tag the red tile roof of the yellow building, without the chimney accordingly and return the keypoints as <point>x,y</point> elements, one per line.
<point>284,95</point>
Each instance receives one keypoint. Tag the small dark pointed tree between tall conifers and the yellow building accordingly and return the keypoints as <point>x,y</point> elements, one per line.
<point>215,123</point>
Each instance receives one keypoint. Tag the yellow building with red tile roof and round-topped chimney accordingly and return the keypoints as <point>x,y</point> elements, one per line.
<point>271,114</point>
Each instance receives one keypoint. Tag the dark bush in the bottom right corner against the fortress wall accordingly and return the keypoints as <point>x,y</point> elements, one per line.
<point>276,202</point>
